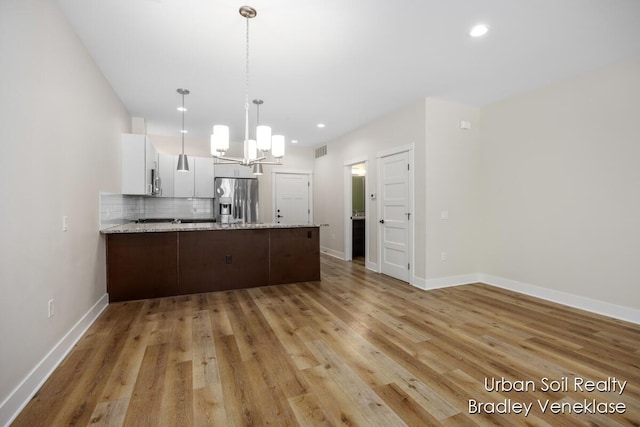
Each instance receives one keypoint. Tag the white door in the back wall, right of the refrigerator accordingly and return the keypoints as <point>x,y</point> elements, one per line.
<point>292,199</point>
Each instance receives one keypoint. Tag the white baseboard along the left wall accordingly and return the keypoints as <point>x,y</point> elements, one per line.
<point>22,394</point>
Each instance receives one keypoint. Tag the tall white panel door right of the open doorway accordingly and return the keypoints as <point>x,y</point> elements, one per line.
<point>394,215</point>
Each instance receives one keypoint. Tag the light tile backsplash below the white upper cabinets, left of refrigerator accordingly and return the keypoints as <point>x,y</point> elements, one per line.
<point>116,209</point>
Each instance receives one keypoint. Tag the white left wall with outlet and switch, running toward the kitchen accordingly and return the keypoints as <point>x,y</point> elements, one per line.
<point>60,126</point>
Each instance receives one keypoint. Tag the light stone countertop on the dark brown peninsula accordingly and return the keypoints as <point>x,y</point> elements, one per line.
<point>133,227</point>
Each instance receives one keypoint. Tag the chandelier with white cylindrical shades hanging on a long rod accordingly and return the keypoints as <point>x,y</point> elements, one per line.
<point>256,151</point>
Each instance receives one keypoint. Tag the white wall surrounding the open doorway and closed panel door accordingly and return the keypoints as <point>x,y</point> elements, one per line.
<point>403,127</point>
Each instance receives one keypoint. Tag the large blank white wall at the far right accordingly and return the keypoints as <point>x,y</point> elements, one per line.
<point>561,186</point>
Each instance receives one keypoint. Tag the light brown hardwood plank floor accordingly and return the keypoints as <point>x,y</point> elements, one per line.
<point>357,348</point>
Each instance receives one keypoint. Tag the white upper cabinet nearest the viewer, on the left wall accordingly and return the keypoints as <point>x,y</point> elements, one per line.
<point>139,158</point>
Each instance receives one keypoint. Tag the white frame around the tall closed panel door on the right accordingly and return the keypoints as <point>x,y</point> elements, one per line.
<point>409,148</point>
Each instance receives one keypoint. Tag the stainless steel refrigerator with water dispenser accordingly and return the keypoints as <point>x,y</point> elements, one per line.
<point>236,200</point>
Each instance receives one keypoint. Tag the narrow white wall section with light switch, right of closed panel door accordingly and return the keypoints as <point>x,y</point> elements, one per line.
<point>451,163</point>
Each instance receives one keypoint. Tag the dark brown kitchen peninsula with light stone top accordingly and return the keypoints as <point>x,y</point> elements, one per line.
<point>150,260</point>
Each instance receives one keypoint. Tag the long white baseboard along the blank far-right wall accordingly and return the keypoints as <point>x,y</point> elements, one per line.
<point>600,307</point>
